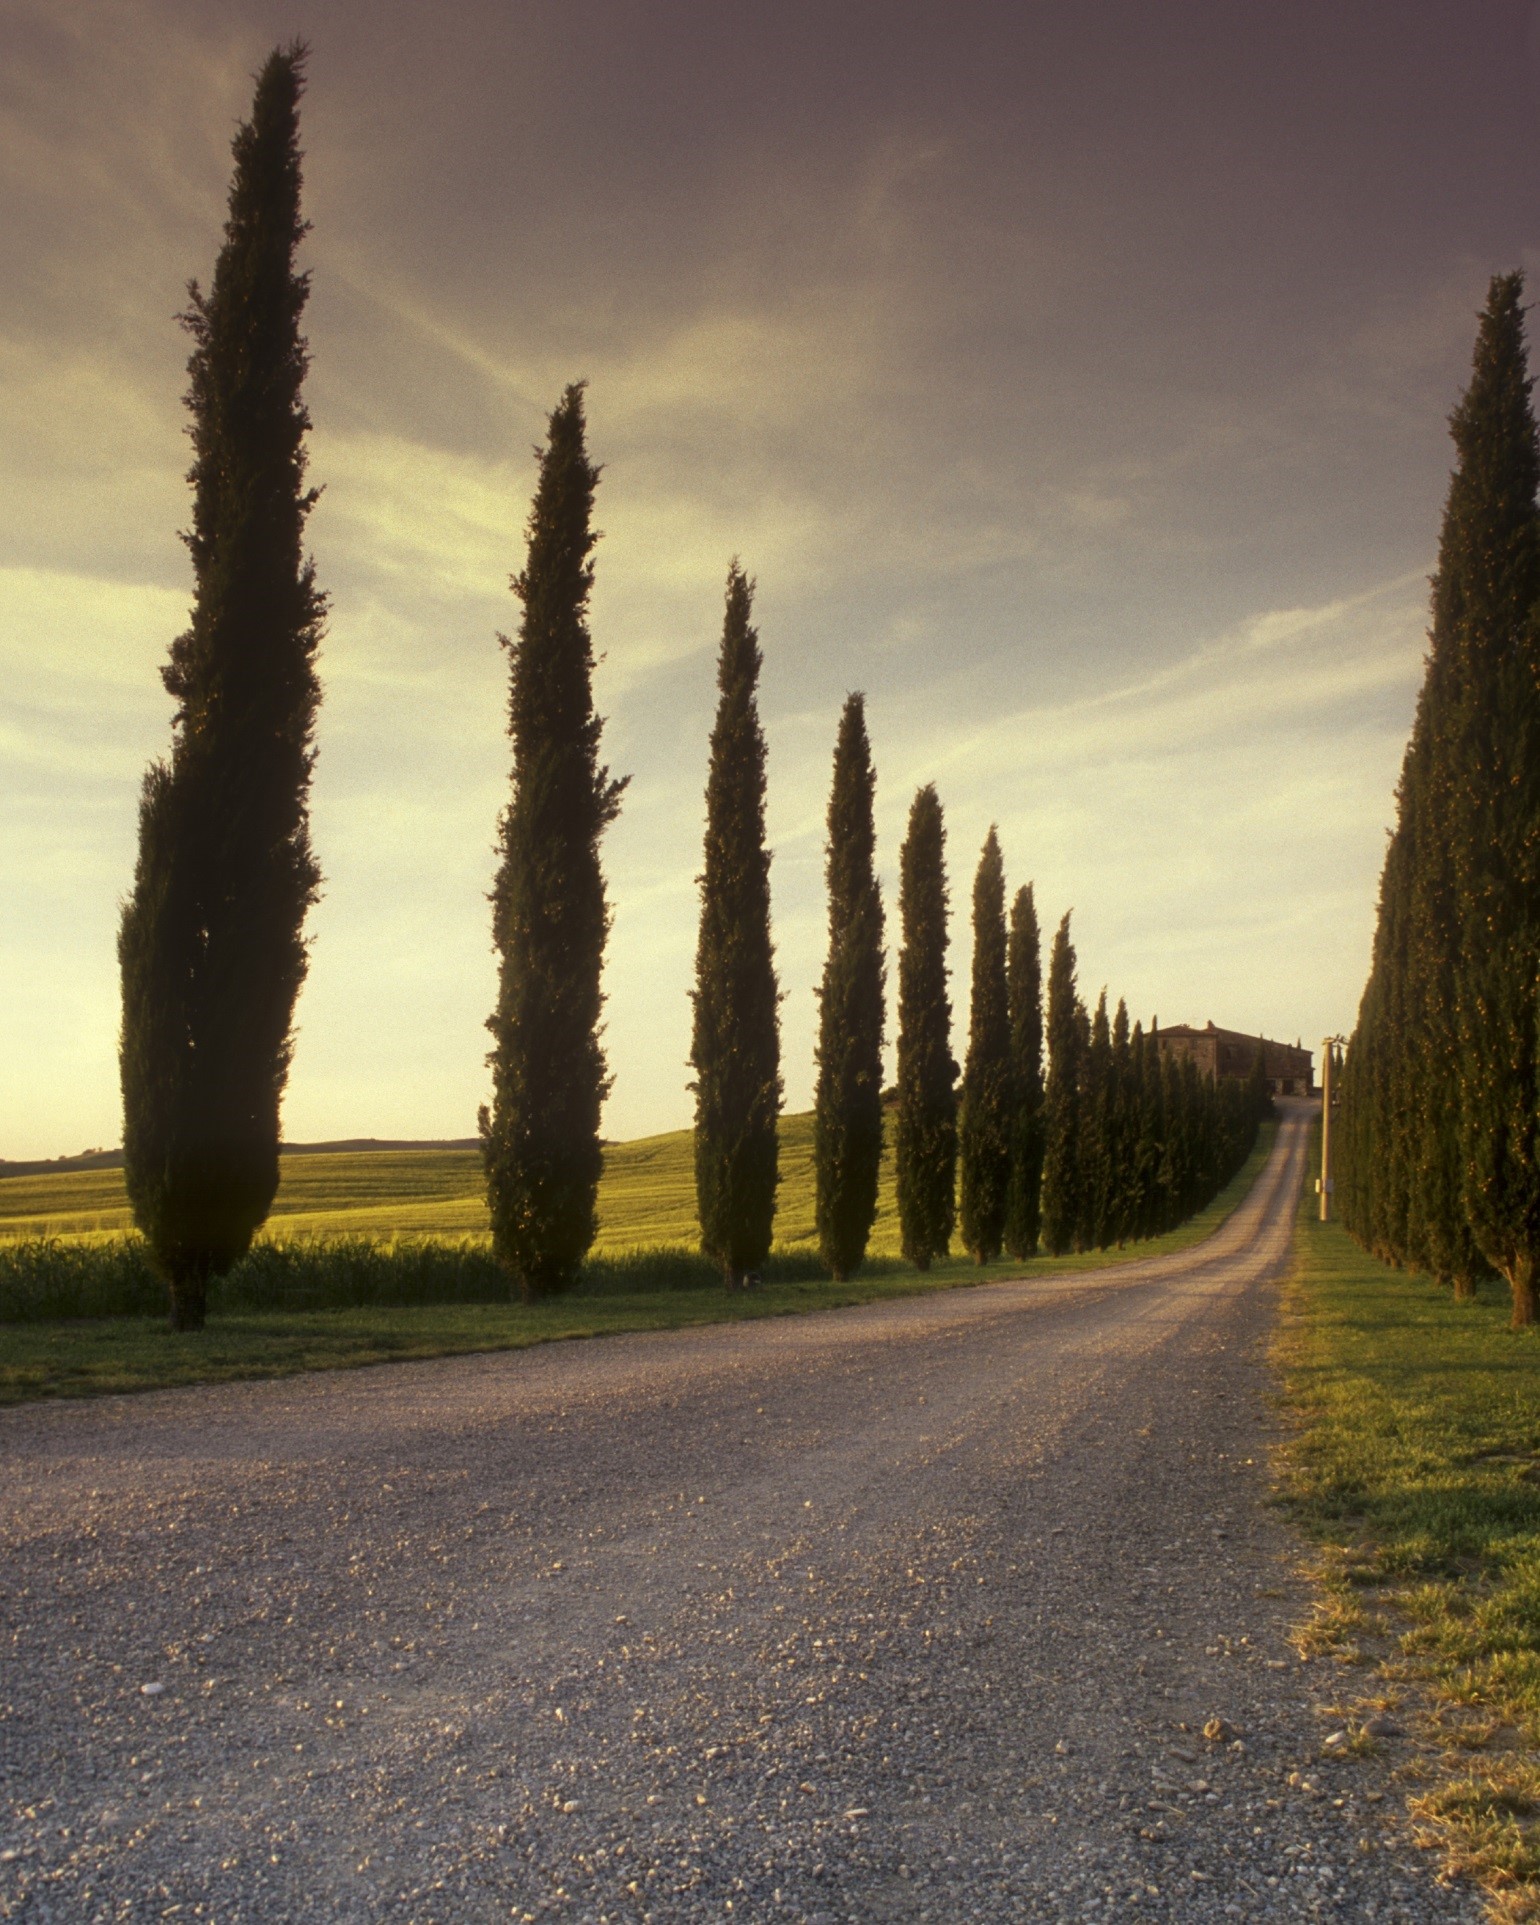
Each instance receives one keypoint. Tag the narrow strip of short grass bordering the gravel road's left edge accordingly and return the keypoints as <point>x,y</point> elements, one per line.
<point>99,1356</point>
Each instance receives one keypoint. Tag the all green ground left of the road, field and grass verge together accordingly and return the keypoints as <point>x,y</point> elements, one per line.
<point>361,1277</point>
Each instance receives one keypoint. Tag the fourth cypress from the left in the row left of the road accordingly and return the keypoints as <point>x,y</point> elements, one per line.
<point>848,1100</point>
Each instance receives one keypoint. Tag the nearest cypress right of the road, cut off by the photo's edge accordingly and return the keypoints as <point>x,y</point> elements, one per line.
<point>1495,544</point>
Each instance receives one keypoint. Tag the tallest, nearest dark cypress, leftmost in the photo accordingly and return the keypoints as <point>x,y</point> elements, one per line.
<point>213,938</point>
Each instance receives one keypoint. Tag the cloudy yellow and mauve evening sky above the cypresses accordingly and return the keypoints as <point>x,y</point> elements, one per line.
<point>1073,378</point>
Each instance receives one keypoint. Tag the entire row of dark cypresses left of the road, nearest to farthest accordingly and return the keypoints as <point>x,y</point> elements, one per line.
<point>1104,1142</point>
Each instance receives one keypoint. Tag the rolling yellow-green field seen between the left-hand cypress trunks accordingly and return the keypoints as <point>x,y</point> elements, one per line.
<point>646,1198</point>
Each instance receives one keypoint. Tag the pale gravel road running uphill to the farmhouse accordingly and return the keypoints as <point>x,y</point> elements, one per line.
<point>906,1612</point>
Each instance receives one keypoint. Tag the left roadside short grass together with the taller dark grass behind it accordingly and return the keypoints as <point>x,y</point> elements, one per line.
<point>344,1306</point>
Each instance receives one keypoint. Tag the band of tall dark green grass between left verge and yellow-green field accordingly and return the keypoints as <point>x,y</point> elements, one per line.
<point>49,1281</point>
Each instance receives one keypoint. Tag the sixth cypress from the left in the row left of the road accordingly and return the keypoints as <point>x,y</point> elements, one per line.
<point>988,1094</point>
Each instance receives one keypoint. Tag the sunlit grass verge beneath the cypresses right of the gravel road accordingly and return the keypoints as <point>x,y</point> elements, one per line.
<point>1418,1474</point>
